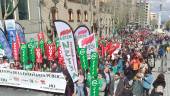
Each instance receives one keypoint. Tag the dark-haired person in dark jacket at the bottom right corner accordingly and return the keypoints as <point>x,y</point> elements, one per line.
<point>159,85</point>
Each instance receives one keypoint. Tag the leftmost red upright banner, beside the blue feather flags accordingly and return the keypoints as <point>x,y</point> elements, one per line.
<point>15,51</point>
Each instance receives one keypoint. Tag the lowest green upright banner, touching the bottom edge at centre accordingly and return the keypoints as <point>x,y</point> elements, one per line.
<point>94,87</point>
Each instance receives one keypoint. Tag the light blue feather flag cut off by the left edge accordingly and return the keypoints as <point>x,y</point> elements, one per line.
<point>5,45</point>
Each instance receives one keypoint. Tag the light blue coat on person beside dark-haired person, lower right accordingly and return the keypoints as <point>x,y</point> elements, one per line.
<point>147,81</point>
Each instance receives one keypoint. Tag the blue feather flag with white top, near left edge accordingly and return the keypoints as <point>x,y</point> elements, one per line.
<point>11,31</point>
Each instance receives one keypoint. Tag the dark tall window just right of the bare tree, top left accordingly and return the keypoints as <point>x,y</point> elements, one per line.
<point>23,10</point>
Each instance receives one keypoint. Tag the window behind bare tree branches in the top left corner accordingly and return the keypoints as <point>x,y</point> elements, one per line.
<point>9,6</point>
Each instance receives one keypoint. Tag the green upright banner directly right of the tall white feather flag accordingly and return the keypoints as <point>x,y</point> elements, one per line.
<point>83,58</point>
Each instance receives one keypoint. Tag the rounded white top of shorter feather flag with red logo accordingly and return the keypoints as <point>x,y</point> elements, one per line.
<point>81,32</point>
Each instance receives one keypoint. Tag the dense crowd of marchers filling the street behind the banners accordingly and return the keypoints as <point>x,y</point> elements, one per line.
<point>125,72</point>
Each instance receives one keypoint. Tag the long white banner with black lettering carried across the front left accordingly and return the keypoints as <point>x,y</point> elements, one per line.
<point>44,81</point>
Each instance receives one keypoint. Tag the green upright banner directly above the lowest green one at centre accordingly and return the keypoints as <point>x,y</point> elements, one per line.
<point>94,64</point>
